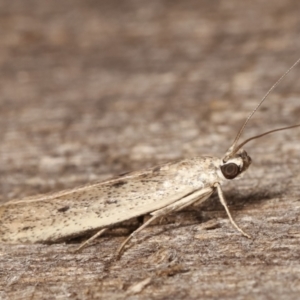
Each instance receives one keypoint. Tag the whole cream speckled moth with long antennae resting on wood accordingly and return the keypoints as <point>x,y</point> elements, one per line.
<point>156,191</point>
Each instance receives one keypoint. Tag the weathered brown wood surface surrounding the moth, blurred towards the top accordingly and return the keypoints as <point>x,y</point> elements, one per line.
<point>89,89</point>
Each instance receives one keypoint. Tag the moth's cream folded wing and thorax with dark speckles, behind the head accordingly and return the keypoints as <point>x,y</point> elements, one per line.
<point>58,216</point>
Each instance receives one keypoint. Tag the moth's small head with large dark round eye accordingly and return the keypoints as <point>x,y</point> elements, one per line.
<point>234,165</point>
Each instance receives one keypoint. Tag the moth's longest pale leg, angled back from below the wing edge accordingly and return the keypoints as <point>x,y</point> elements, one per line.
<point>183,202</point>
